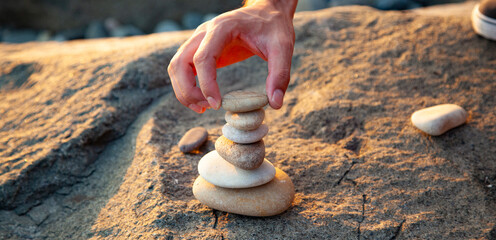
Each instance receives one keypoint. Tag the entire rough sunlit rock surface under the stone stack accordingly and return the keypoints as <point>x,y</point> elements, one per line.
<point>360,168</point>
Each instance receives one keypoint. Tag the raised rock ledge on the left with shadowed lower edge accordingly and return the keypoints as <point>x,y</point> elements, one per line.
<point>61,103</point>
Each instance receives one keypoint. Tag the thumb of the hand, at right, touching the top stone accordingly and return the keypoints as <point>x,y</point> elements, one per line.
<point>279,63</point>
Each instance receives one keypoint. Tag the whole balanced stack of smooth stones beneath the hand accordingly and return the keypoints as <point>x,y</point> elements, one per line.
<point>236,177</point>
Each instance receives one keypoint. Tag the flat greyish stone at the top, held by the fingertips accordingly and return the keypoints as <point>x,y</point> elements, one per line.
<point>244,101</point>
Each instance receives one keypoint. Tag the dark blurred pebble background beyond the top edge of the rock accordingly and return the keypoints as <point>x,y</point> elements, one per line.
<point>62,20</point>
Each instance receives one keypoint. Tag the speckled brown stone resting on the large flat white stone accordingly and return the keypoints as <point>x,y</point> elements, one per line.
<point>245,156</point>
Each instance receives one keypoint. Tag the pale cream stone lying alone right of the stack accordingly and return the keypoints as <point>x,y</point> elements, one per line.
<point>438,119</point>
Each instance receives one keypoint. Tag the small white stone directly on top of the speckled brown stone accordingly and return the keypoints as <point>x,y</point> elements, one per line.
<point>244,137</point>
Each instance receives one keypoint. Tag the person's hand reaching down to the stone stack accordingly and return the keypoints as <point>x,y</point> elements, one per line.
<point>263,28</point>
